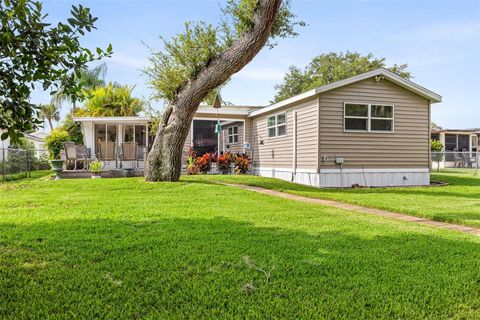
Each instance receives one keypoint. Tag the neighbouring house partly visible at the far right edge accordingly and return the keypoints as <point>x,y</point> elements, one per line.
<point>466,140</point>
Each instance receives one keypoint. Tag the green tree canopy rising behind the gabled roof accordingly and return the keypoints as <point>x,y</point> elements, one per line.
<point>331,67</point>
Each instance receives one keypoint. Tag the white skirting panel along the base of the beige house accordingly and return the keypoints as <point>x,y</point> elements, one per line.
<point>347,177</point>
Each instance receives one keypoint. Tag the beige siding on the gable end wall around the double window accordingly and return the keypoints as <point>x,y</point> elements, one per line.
<point>406,147</point>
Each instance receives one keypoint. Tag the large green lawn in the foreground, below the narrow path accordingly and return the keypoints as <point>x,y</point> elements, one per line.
<point>127,249</point>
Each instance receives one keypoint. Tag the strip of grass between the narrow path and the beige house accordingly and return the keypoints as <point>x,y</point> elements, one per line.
<point>459,202</point>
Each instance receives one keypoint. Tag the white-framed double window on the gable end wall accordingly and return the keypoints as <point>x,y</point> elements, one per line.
<point>368,117</point>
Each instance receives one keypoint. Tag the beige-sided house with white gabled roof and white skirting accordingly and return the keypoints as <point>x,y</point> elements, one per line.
<point>372,130</point>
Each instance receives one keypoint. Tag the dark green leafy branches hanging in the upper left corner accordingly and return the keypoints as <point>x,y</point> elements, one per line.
<point>36,52</point>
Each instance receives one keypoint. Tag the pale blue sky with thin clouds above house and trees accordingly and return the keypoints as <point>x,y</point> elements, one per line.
<point>440,41</point>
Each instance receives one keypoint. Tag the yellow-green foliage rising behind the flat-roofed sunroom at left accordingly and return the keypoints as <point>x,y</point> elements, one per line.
<point>112,100</point>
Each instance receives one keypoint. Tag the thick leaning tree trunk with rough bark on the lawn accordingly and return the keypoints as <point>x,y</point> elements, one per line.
<point>164,159</point>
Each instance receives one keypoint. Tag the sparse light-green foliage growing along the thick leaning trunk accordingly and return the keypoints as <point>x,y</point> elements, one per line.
<point>186,54</point>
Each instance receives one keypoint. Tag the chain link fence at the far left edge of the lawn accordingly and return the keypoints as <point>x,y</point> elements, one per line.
<point>20,163</point>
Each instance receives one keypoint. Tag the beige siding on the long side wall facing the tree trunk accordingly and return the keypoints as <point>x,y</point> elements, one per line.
<point>277,152</point>
